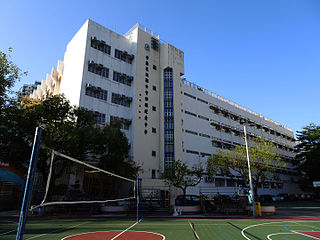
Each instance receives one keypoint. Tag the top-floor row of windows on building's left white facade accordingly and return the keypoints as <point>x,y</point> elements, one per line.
<point>105,48</point>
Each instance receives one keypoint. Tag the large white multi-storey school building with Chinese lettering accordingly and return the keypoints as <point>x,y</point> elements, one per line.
<point>137,78</point>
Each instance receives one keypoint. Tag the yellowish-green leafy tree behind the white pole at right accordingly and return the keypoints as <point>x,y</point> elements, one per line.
<point>263,162</point>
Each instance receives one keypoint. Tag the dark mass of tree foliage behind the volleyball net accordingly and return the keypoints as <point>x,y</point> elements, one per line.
<point>67,129</point>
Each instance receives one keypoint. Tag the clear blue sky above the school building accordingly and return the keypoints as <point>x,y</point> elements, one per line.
<point>264,55</point>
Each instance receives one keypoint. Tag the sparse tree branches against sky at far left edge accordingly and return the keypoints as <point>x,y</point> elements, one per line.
<point>9,74</point>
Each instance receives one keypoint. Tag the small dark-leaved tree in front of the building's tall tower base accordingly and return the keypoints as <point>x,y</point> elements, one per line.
<point>180,176</point>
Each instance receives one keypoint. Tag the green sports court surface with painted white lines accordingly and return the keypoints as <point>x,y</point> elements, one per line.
<point>56,229</point>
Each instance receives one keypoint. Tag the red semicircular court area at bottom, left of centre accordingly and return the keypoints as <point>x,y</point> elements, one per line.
<point>128,235</point>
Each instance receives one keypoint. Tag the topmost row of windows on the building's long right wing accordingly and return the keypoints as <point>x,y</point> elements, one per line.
<point>225,113</point>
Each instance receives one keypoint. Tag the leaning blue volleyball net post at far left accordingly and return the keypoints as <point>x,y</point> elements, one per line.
<point>29,182</point>
